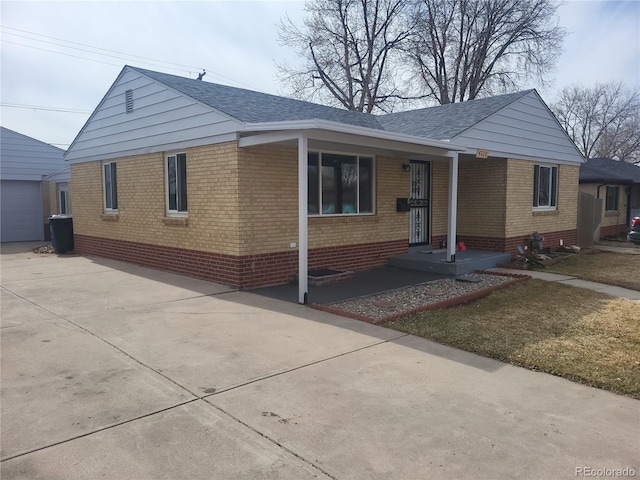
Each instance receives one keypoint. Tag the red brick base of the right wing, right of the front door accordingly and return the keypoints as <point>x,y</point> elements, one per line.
<point>508,245</point>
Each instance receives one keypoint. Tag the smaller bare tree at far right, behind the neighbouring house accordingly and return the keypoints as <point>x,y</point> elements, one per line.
<point>603,121</point>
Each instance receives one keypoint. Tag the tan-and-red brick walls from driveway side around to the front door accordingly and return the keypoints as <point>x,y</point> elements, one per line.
<point>242,220</point>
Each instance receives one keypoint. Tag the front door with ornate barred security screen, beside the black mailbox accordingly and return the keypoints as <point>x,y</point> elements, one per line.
<point>419,203</point>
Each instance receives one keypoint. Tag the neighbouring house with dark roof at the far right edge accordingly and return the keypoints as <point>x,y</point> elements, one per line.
<point>617,184</point>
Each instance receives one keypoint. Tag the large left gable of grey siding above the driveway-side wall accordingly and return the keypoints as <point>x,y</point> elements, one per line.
<point>161,119</point>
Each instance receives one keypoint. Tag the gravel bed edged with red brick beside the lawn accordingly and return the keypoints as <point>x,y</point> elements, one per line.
<point>403,299</point>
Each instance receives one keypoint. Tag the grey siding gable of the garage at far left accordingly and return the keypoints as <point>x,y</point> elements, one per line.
<point>25,158</point>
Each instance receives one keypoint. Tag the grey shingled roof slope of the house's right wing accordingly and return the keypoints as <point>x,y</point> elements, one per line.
<point>444,122</point>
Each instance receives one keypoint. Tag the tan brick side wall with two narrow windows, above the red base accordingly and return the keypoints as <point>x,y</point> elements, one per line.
<point>212,186</point>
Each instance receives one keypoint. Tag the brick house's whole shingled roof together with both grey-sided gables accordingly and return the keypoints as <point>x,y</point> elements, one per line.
<point>172,112</point>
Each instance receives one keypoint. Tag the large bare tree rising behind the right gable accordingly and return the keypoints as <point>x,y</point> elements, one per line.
<point>464,49</point>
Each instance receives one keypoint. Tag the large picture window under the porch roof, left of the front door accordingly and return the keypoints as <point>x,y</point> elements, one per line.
<point>340,184</point>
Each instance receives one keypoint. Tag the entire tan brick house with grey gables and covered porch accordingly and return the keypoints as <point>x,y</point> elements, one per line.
<point>247,189</point>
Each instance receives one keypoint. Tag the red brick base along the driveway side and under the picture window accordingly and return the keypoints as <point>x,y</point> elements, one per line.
<point>240,271</point>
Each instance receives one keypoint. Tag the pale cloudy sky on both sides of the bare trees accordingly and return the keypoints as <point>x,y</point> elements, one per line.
<point>58,59</point>
